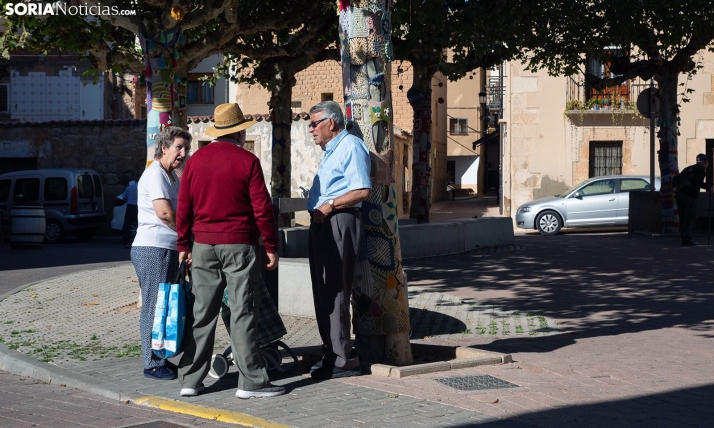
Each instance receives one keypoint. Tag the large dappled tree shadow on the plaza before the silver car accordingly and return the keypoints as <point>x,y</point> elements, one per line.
<point>594,285</point>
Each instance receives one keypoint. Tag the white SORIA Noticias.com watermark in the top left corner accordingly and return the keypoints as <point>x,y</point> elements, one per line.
<point>63,8</point>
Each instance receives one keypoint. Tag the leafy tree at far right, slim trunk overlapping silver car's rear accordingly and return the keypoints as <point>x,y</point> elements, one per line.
<point>657,39</point>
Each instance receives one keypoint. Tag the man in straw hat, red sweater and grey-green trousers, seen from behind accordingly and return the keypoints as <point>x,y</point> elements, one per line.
<point>224,203</point>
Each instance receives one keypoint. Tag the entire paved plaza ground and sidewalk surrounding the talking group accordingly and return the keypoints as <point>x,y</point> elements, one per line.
<point>605,330</point>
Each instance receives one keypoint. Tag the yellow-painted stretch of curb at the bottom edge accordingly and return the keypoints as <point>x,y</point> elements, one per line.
<point>205,412</point>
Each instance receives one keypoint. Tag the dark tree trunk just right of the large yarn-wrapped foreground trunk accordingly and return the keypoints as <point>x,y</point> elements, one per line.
<point>419,96</point>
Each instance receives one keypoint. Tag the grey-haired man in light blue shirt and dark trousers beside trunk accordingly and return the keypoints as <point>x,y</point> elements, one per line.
<point>341,184</point>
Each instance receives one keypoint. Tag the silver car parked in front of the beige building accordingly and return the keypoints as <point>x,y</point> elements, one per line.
<point>598,201</point>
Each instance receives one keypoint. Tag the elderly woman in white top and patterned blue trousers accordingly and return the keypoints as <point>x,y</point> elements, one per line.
<point>154,252</point>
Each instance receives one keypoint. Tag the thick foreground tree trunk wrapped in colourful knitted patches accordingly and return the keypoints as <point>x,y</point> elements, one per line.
<point>380,305</point>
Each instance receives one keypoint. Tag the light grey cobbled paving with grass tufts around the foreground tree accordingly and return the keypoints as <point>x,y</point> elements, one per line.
<point>41,320</point>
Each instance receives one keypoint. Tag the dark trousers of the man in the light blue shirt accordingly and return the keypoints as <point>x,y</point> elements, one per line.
<point>333,249</point>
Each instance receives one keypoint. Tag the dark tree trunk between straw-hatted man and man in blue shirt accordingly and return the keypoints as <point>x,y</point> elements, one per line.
<point>281,88</point>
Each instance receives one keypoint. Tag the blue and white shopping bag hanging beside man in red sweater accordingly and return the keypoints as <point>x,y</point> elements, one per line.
<point>170,318</point>
